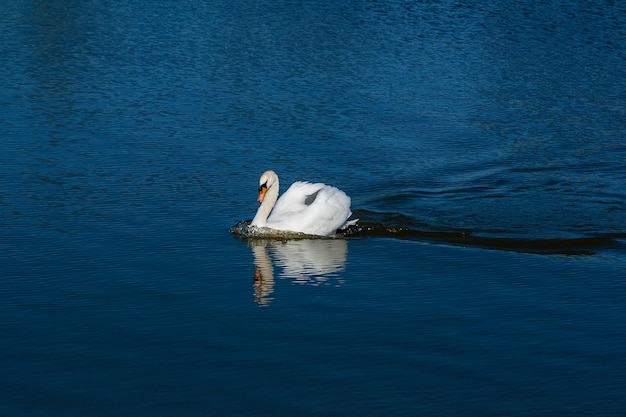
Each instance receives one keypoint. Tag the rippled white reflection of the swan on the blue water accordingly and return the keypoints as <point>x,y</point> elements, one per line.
<point>306,261</point>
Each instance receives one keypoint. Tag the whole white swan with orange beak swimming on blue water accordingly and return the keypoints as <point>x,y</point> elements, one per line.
<point>314,209</point>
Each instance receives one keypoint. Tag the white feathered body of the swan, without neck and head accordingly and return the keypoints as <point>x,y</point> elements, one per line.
<point>311,208</point>
